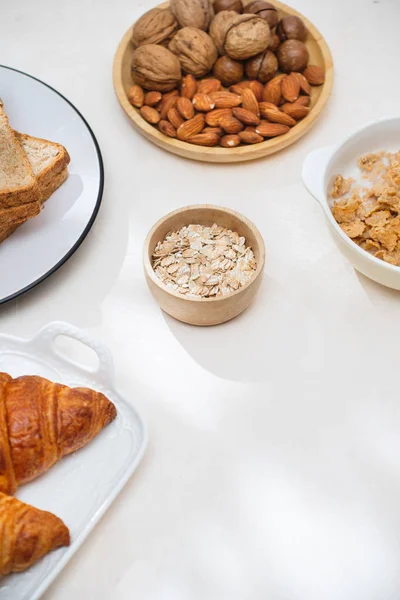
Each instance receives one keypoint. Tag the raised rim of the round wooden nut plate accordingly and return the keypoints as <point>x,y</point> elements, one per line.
<point>216,154</point>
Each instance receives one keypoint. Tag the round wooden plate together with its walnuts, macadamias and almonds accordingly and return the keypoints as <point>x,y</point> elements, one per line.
<point>223,81</point>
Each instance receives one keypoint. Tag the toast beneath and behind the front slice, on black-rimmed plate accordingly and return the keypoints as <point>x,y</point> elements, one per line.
<point>49,164</point>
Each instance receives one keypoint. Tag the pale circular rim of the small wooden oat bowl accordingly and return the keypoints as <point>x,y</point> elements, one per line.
<point>150,271</point>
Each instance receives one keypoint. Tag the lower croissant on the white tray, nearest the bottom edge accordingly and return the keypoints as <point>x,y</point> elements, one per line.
<point>27,534</point>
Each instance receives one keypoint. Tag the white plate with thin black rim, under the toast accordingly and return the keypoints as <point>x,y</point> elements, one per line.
<point>41,245</point>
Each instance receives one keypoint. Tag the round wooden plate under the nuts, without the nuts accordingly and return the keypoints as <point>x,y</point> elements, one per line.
<point>319,55</point>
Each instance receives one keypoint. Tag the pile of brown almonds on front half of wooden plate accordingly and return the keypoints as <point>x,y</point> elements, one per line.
<point>204,113</point>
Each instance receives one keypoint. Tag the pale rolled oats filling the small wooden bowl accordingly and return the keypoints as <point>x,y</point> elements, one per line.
<point>204,261</point>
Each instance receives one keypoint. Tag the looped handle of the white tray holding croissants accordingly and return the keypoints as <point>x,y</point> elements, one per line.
<point>49,333</point>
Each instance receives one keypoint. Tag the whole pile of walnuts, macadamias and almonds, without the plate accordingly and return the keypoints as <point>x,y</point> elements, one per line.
<point>221,74</point>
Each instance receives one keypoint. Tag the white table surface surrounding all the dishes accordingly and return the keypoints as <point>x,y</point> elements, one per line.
<point>273,470</point>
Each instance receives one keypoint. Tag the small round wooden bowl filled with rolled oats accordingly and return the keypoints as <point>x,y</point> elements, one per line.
<point>220,244</point>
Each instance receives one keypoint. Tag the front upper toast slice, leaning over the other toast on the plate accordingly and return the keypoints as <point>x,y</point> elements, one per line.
<point>18,184</point>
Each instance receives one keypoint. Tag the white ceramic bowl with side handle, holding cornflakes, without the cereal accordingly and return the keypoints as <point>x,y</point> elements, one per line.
<point>322,165</point>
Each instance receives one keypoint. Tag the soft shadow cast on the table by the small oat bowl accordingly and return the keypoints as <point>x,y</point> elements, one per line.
<point>255,344</point>
